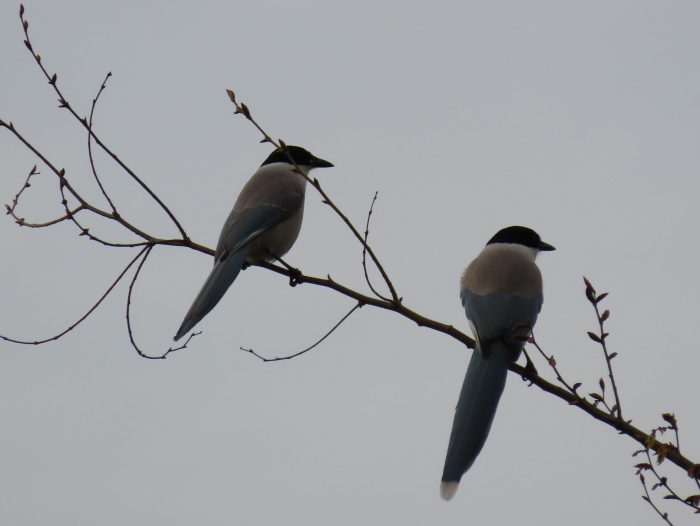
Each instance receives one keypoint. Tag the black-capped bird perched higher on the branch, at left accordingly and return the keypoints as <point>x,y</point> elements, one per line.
<point>263,225</point>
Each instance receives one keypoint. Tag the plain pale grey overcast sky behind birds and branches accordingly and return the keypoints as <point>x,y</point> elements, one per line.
<point>580,120</point>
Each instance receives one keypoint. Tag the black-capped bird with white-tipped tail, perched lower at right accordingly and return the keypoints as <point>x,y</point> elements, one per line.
<point>501,292</point>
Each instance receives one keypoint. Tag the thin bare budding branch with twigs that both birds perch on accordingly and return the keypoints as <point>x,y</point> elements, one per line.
<point>393,303</point>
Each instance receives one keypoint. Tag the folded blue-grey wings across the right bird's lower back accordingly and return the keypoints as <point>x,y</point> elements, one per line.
<point>501,316</point>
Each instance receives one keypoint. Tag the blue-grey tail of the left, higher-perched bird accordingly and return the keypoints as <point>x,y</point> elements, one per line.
<point>222,275</point>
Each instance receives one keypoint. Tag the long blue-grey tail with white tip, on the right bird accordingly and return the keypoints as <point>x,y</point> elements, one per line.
<point>481,391</point>
